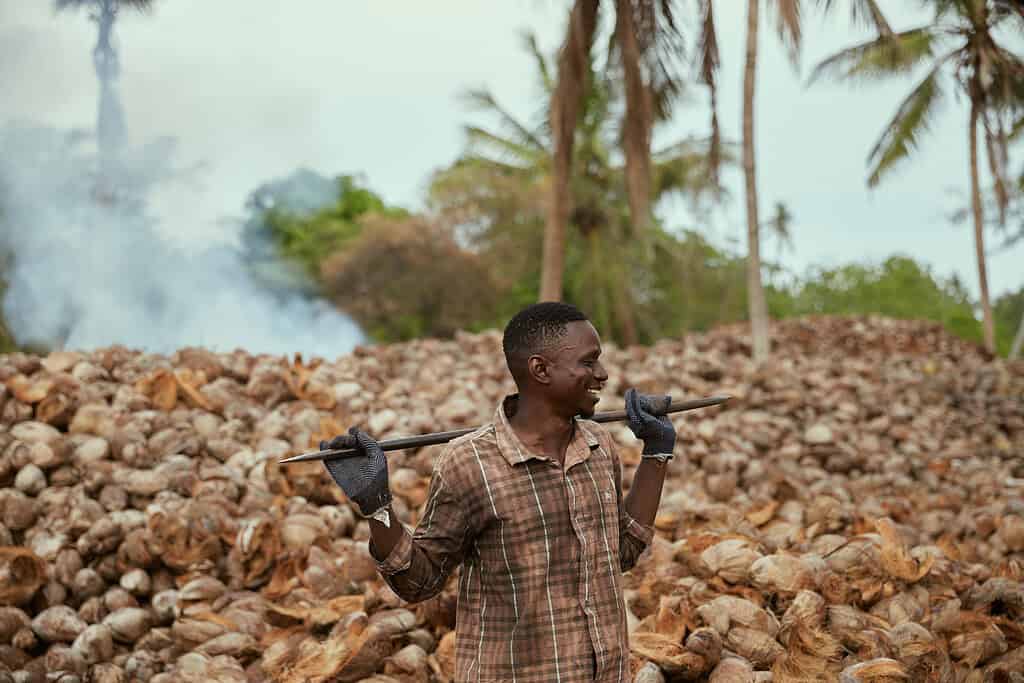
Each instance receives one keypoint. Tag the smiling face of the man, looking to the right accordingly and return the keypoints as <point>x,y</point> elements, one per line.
<point>577,375</point>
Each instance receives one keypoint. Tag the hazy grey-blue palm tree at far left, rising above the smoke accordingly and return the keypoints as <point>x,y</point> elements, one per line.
<point>110,119</point>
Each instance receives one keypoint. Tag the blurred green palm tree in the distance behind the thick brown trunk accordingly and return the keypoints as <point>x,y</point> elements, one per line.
<point>495,195</point>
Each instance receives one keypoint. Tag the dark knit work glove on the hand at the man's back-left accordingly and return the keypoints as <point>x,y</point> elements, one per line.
<point>364,479</point>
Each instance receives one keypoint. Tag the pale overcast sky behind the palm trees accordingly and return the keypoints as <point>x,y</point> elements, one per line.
<point>257,89</point>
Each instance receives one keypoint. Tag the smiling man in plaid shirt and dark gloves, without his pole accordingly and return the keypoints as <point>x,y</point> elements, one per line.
<point>532,507</point>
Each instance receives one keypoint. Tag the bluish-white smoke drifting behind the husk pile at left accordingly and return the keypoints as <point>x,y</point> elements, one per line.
<point>89,269</point>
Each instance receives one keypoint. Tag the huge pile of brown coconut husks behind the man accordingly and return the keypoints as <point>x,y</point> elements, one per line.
<point>857,514</point>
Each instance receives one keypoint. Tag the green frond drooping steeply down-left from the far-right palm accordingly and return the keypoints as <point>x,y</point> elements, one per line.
<point>904,132</point>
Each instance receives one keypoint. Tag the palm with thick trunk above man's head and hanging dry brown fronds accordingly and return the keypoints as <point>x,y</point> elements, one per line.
<point>647,44</point>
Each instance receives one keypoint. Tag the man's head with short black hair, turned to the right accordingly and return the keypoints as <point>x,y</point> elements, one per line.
<point>552,351</point>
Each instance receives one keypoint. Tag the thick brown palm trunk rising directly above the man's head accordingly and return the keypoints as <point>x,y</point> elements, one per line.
<point>574,65</point>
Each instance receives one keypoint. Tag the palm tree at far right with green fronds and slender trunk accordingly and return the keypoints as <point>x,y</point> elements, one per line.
<point>960,48</point>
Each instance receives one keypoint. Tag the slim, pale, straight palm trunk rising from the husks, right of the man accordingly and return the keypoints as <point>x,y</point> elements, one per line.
<point>755,292</point>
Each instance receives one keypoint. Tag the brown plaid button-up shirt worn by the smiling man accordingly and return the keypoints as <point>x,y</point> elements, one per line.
<point>543,549</point>
